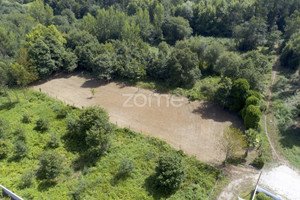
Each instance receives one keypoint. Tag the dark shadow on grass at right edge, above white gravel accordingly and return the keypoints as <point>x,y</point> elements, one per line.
<point>290,137</point>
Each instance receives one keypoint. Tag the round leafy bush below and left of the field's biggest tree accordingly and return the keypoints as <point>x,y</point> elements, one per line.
<point>50,165</point>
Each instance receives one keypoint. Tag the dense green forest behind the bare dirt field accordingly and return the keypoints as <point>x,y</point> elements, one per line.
<point>160,40</point>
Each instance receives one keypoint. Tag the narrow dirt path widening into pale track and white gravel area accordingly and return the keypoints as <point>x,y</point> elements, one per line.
<point>278,177</point>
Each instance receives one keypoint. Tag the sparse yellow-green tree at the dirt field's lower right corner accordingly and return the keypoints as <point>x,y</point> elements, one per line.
<point>232,142</point>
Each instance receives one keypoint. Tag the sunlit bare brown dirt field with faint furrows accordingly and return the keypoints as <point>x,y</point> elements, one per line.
<point>193,127</point>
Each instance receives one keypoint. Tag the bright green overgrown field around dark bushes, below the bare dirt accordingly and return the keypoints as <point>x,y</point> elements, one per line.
<point>99,181</point>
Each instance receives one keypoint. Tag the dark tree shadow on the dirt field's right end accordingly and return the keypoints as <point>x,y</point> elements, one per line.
<point>217,113</point>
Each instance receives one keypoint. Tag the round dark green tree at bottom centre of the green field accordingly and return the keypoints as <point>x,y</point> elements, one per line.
<point>170,173</point>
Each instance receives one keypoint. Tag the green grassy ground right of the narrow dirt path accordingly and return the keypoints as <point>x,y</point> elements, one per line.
<point>283,120</point>
